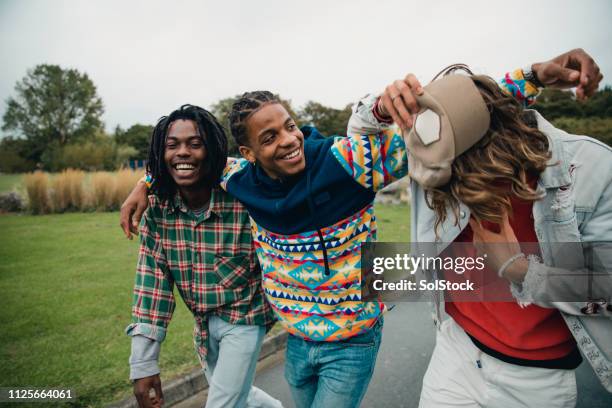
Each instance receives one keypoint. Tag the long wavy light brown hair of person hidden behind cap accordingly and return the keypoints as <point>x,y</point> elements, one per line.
<point>498,166</point>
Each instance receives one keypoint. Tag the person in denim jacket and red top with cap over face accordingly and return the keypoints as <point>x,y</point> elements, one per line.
<point>487,173</point>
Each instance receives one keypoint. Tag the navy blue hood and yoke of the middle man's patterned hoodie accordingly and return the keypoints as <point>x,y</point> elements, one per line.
<point>322,195</point>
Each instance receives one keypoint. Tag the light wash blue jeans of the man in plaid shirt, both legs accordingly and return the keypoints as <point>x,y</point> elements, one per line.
<point>230,366</point>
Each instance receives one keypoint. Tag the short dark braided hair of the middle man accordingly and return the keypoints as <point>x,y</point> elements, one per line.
<point>243,108</point>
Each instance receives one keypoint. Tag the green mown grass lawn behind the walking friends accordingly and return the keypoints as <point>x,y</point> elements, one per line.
<point>65,282</point>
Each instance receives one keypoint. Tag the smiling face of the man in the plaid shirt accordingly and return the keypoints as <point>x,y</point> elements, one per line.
<point>184,154</point>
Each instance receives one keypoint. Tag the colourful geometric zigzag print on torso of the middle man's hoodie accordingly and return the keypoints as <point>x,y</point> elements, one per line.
<point>308,302</point>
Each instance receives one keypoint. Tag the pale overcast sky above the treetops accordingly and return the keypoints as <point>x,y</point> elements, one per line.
<point>148,57</point>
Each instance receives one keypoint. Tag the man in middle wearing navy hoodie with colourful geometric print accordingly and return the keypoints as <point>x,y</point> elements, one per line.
<point>310,199</point>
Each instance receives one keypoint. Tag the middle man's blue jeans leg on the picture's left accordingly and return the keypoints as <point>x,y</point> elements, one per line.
<point>299,371</point>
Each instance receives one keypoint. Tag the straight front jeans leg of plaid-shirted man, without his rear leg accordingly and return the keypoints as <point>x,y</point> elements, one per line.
<point>234,369</point>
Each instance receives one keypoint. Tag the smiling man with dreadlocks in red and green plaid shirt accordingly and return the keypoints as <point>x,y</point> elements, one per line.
<point>196,236</point>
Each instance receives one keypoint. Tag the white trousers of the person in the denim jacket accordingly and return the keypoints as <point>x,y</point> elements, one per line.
<point>454,379</point>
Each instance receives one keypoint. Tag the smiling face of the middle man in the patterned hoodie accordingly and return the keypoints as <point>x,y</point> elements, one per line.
<point>275,142</point>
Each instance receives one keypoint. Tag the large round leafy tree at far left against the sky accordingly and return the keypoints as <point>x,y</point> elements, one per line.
<point>53,107</point>
